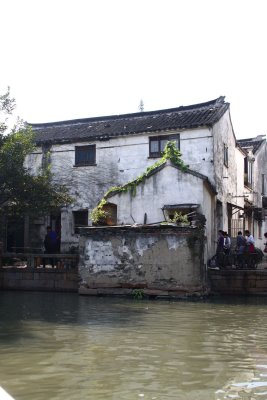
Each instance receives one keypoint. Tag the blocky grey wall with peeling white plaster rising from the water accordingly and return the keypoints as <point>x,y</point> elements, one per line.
<point>160,260</point>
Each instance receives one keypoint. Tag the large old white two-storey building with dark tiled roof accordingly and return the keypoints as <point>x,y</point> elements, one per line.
<point>93,154</point>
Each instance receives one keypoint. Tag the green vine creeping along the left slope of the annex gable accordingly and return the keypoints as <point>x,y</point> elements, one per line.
<point>170,153</point>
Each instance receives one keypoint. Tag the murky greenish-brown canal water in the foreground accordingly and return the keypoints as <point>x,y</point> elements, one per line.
<point>56,346</point>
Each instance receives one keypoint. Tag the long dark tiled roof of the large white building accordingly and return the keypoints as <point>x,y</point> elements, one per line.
<point>101,128</point>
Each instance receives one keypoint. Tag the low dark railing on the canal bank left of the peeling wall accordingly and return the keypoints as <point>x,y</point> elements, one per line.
<point>38,260</point>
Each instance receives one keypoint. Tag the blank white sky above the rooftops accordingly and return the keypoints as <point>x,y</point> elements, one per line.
<point>83,58</point>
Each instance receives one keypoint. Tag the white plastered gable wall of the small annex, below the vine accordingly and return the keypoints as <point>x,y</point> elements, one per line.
<point>169,185</point>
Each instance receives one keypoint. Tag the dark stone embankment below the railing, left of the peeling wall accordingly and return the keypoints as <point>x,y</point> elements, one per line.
<point>38,279</point>
